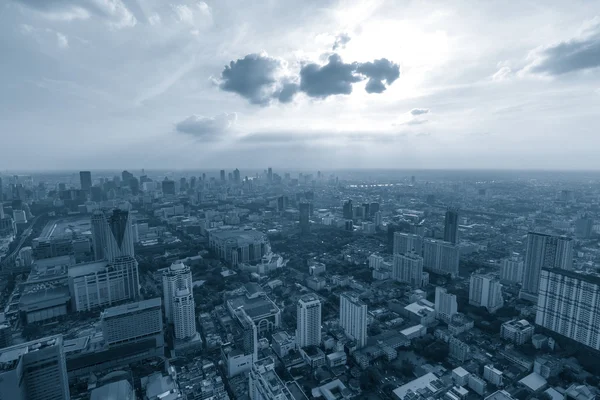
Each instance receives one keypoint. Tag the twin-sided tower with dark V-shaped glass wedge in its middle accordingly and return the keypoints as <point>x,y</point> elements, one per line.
<point>112,234</point>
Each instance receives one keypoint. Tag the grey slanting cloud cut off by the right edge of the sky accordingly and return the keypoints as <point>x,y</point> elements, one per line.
<point>577,54</point>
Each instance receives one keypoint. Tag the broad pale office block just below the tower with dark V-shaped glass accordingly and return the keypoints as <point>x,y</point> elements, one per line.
<point>101,284</point>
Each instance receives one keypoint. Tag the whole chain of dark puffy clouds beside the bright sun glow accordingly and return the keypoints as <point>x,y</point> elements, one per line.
<point>259,78</point>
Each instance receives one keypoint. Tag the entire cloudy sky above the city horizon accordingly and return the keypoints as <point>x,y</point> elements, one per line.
<point>323,84</point>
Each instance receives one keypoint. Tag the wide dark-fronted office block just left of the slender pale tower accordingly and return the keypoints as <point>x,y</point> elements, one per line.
<point>133,322</point>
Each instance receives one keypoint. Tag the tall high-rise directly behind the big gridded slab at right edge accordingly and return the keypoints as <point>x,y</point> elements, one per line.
<point>544,251</point>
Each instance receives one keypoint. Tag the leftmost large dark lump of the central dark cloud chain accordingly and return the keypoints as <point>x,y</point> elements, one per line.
<point>252,77</point>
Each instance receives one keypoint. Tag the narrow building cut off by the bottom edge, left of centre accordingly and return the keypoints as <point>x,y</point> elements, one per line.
<point>265,384</point>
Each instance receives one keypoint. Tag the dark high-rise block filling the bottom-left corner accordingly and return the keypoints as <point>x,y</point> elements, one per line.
<point>34,370</point>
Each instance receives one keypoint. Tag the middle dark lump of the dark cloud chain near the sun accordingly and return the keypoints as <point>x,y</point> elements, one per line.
<point>335,77</point>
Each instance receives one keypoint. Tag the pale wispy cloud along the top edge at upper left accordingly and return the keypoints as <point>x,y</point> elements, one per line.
<point>113,11</point>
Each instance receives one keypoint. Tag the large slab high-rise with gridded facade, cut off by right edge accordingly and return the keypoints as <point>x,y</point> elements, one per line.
<point>569,304</point>
